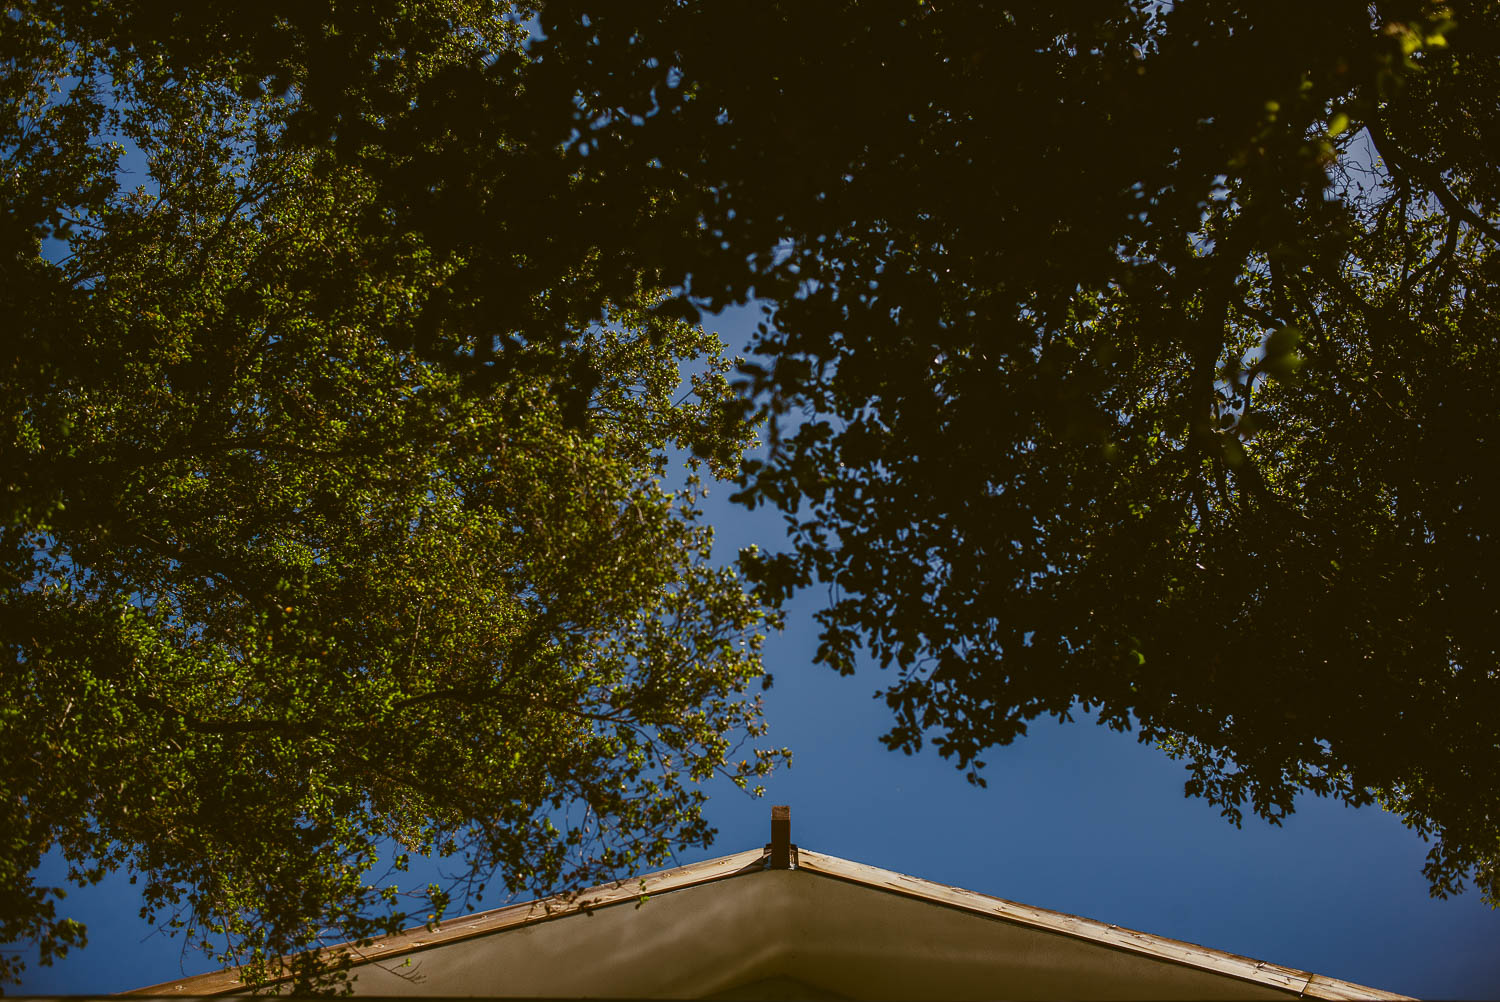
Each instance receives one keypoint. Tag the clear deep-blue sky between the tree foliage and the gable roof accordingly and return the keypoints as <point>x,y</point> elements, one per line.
<point>1076,818</point>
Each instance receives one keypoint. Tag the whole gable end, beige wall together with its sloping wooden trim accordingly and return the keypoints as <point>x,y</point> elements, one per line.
<point>826,928</point>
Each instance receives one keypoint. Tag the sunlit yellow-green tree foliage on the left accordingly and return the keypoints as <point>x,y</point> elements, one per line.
<point>284,602</point>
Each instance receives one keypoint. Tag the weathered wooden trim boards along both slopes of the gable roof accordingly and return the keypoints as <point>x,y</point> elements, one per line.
<point>1169,952</point>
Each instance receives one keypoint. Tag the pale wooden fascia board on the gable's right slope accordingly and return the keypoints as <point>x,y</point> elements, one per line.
<point>1298,983</point>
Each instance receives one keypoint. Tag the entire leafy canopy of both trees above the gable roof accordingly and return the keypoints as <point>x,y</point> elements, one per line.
<point>1123,358</point>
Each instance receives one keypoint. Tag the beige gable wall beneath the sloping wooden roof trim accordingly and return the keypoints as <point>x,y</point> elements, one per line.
<point>791,925</point>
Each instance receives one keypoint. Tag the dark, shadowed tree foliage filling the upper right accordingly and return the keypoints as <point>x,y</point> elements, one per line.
<point>1135,358</point>
